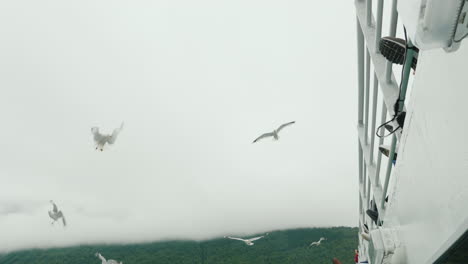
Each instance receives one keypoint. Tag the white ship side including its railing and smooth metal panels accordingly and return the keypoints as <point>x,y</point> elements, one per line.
<point>425,217</point>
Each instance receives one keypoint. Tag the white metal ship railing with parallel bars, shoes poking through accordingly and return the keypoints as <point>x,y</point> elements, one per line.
<point>369,33</point>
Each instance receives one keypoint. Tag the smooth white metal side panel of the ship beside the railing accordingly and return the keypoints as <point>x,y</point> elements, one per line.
<point>430,194</point>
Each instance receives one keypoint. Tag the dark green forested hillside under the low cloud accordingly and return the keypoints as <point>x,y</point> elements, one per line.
<point>279,247</point>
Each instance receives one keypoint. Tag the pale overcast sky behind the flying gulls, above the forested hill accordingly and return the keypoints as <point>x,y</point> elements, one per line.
<point>195,83</point>
